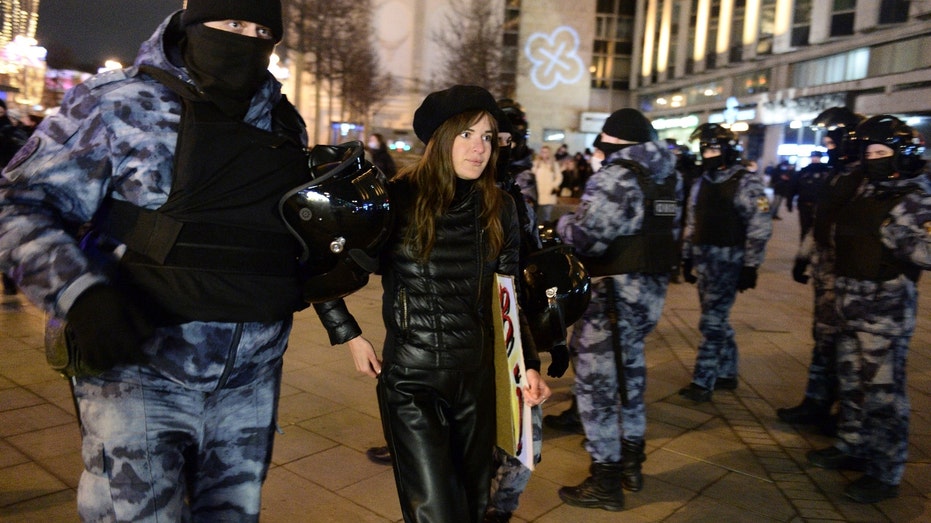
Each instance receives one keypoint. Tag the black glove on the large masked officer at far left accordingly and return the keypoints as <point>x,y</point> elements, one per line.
<point>107,330</point>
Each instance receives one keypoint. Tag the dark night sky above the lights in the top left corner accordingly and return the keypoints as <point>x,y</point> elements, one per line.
<point>82,34</point>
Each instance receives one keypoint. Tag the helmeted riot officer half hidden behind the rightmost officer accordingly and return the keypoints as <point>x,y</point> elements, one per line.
<point>817,249</point>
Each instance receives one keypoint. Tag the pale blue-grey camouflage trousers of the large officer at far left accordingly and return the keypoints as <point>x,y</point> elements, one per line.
<point>156,451</point>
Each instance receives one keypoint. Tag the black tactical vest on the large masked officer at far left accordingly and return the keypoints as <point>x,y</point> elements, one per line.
<point>218,250</point>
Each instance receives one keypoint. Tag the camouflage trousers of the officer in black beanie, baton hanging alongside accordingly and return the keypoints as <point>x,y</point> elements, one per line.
<point>599,388</point>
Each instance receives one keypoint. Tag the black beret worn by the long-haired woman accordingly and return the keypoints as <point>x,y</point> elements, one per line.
<point>440,106</point>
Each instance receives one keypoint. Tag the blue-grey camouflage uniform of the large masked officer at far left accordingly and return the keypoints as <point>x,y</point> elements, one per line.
<point>189,434</point>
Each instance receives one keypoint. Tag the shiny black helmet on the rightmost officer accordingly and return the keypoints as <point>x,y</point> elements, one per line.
<point>906,143</point>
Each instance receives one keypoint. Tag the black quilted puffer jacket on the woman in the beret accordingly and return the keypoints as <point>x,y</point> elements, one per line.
<point>437,314</point>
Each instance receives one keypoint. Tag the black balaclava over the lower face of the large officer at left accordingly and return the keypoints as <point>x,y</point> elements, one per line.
<point>228,67</point>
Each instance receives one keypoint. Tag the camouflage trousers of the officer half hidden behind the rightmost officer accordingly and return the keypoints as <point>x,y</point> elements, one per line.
<point>822,371</point>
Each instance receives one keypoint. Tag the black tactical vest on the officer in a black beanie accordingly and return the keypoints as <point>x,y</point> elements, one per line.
<point>654,249</point>
